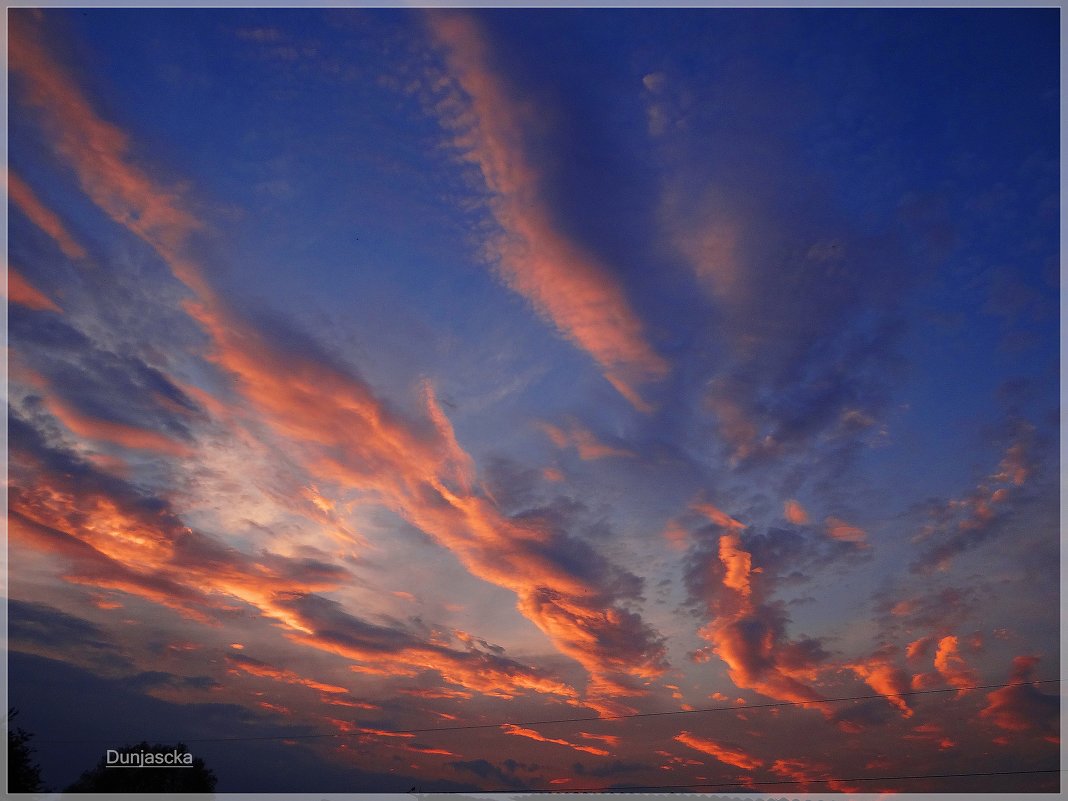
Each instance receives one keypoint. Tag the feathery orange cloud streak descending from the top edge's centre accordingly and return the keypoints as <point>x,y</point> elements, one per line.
<point>566,285</point>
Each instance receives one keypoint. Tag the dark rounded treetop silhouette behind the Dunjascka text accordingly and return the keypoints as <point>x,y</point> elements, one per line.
<point>155,779</point>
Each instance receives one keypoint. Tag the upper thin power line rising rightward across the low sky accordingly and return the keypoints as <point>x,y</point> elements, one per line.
<point>470,727</point>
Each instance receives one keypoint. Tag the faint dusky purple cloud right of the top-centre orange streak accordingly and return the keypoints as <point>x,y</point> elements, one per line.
<point>803,303</point>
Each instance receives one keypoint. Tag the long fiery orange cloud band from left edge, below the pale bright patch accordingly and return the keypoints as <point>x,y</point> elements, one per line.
<point>118,539</point>
